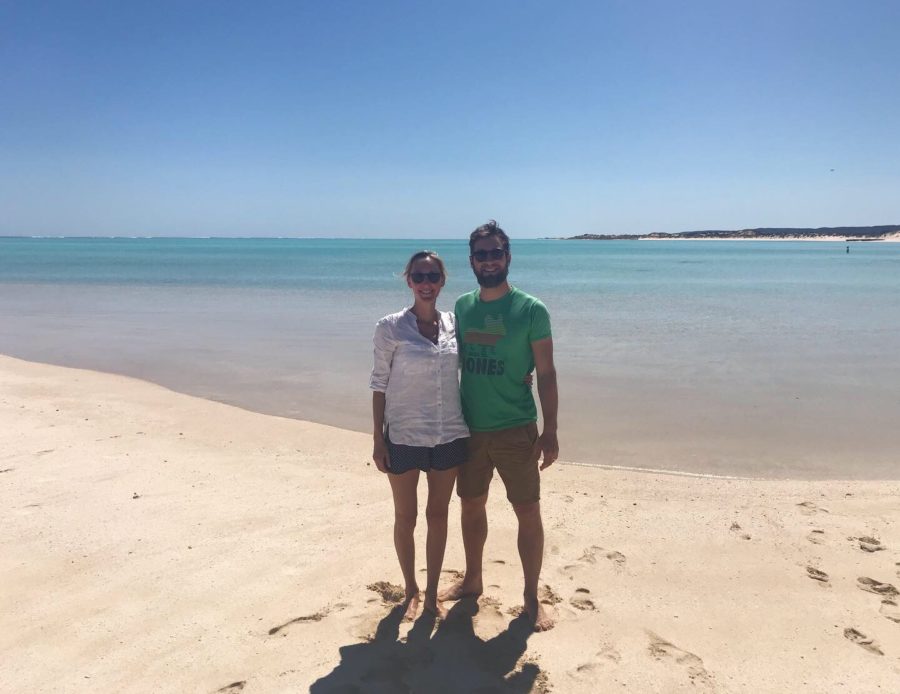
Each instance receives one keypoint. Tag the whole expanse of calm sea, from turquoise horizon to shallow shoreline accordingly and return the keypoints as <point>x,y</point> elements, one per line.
<point>748,358</point>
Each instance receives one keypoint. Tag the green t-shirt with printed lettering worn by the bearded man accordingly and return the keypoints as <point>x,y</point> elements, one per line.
<point>494,339</point>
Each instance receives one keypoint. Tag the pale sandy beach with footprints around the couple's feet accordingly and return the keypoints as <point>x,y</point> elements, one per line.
<point>157,542</point>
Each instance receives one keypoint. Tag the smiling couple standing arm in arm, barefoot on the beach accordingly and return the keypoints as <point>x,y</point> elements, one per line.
<point>460,428</point>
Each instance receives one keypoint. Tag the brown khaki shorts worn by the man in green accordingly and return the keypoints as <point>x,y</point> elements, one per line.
<point>514,452</point>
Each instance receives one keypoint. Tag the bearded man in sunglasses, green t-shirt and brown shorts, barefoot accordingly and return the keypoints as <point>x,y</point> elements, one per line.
<point>503,334</point>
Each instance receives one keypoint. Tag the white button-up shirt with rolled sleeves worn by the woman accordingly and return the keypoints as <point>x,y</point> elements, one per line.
<point>419,379</point>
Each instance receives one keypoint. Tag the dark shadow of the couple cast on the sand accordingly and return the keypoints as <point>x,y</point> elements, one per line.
<point>450,659</point>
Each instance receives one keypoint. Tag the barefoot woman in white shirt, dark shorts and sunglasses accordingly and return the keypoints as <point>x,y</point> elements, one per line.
<point>418,420</point>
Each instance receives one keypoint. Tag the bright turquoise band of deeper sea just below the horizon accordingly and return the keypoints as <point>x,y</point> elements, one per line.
<point>574,266</point>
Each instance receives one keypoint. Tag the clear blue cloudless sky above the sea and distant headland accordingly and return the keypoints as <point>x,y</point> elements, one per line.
<point>423,119</point>
